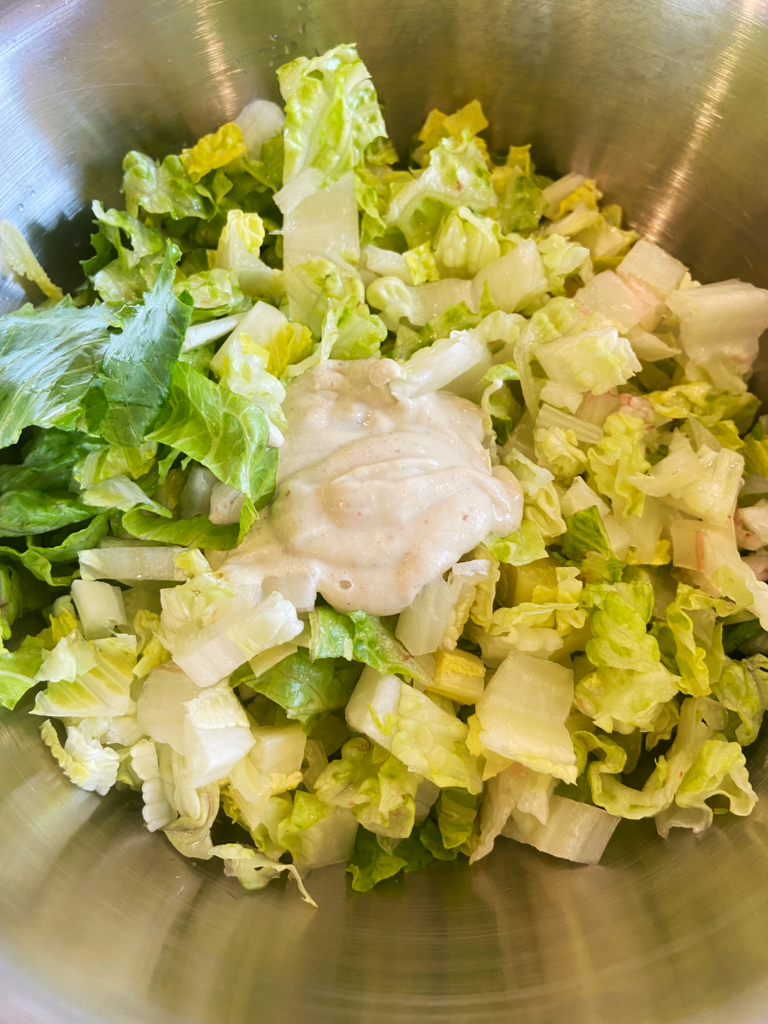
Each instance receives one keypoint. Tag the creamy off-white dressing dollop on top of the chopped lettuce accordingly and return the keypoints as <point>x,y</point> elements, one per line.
<point>376,497</point>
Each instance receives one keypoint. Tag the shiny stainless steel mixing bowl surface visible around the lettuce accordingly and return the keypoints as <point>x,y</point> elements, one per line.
<point>666,102</point>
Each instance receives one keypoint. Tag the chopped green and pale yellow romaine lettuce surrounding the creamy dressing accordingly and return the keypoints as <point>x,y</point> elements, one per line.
<point>607,661</point>
